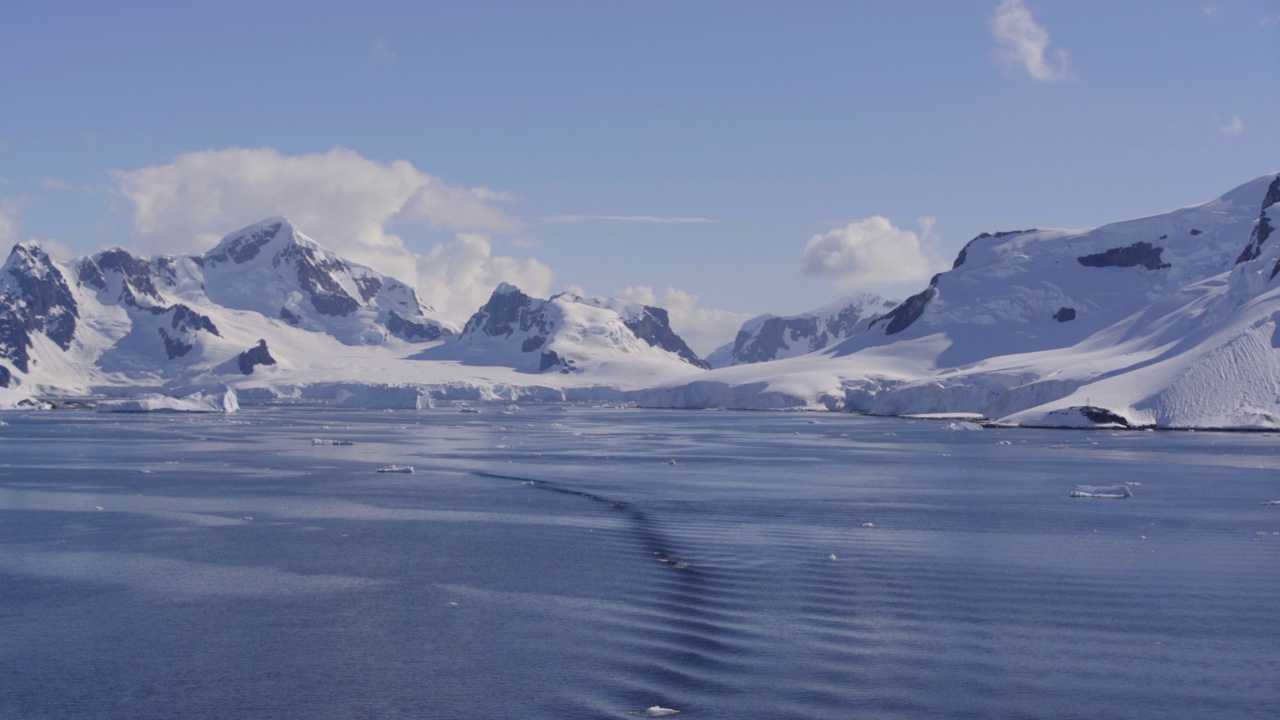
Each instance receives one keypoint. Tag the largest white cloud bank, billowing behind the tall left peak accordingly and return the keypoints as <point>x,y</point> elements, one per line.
<point>342,199</point>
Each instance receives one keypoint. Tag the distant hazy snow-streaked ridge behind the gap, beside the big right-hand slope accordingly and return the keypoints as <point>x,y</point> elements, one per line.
<point>772,338</point>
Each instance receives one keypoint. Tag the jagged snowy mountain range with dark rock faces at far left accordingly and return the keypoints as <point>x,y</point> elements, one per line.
<point>115,318</point>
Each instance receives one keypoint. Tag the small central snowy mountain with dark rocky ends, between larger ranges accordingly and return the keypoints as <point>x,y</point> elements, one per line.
<point>568,335</point>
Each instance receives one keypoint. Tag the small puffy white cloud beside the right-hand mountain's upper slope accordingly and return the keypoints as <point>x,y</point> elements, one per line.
<point>872,253</point>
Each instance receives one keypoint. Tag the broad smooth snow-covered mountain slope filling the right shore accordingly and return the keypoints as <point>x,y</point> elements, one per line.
<point>1168,321</point>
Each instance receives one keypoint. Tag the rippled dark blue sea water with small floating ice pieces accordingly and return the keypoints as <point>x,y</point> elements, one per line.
<point>582,563</point>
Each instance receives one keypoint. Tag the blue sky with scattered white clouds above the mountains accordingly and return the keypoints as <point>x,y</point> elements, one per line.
<point>794,152</point>
